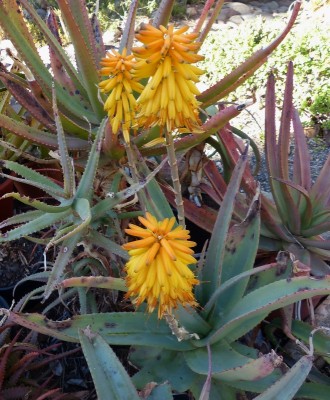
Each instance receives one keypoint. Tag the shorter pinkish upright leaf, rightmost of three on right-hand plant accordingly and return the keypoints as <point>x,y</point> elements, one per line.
<point>301,168</point>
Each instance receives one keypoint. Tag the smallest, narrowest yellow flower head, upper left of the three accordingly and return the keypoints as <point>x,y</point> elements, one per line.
<point>121,104</point>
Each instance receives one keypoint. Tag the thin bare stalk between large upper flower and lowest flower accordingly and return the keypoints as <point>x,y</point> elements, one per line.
<point>175,177</point>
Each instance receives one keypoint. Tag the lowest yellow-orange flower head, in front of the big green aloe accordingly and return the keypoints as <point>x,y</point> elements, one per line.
<point>158,267</point>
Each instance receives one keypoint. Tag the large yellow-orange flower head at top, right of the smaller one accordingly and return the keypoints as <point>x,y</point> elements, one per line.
<point>169,96</point>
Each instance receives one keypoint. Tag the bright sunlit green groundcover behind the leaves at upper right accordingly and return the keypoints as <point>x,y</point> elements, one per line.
<point>306,45</point>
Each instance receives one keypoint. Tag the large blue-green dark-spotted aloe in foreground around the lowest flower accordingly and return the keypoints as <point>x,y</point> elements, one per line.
<point>211,361</point>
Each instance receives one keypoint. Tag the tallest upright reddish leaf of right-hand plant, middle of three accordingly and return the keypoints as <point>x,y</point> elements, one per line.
<point>284,134</point>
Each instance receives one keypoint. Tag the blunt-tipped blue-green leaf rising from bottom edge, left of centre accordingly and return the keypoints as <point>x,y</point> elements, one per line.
<point>110,377</point>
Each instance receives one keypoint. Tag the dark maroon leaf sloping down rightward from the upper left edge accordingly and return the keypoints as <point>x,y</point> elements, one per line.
<point>26,100</point>
